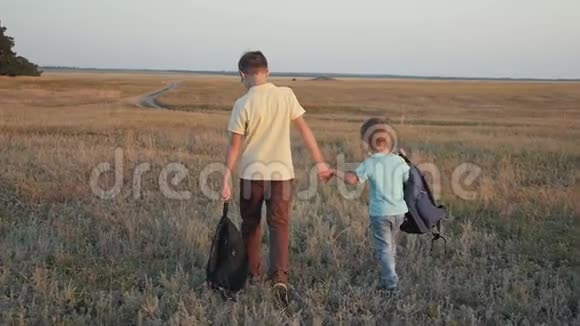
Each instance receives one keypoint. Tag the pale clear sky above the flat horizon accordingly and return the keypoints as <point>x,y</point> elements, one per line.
<point>467,38</point>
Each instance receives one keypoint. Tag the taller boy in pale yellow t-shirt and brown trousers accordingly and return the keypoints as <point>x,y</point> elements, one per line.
<point>261,120</point>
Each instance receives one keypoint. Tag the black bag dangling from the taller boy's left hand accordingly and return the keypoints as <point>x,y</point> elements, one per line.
<point>227,266</point>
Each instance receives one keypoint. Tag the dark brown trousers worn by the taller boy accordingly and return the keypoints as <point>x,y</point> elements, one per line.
<point>277,195</point>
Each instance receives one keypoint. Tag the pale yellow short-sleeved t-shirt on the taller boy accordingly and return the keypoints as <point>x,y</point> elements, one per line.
<point>264,116</point>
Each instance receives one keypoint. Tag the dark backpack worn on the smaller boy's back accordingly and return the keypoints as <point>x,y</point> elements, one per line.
<point>424,215</point>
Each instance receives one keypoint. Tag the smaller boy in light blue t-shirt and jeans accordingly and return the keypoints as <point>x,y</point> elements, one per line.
<point>386,173</point>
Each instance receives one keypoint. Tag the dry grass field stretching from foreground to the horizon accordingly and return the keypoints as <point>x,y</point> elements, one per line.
<point>68,257</point>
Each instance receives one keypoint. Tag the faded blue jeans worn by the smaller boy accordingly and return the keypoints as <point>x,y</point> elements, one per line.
<point>384,231</point>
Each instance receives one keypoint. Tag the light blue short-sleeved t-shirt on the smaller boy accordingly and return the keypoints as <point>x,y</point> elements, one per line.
<point>386,174</point>
